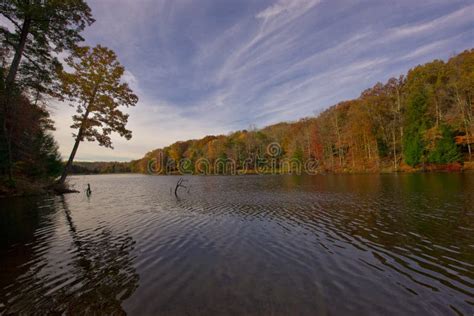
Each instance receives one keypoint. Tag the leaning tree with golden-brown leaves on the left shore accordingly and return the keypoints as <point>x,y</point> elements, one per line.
<point>96,90</point>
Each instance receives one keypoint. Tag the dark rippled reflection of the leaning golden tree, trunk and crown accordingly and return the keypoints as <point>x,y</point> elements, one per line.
<point>106,268</point>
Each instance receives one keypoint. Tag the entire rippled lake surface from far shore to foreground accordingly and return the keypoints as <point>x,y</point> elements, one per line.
<point>252,245</point>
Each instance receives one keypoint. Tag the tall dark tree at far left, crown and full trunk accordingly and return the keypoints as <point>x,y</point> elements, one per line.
<point>39,31</point>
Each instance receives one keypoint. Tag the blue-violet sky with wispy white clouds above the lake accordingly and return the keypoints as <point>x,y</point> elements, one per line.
<point>208,67</point>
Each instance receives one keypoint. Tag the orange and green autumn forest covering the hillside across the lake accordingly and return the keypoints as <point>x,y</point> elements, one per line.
<point>420,121</point>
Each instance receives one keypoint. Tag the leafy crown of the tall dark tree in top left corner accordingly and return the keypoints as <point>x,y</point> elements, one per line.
<point>41,29</point>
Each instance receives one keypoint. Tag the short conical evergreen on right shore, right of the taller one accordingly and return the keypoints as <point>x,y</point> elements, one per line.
<point>445,150</point>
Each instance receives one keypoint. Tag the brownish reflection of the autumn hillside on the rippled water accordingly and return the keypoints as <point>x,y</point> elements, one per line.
<point>417,230</point>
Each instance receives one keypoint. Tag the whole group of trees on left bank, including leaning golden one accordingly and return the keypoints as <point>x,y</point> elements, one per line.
<point>34,35</point>
